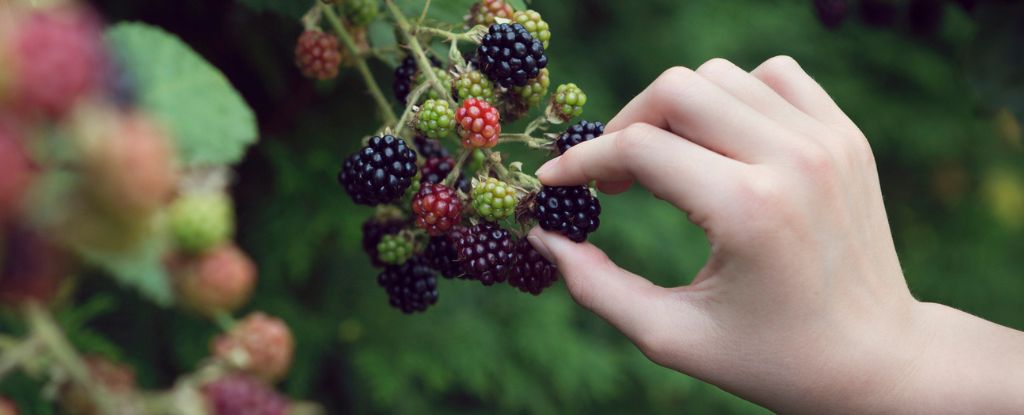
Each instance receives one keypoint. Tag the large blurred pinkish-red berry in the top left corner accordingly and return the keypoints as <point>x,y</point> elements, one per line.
<point>58,59</point>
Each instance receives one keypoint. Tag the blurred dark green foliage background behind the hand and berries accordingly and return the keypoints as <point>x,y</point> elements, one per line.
<point>942,111</point>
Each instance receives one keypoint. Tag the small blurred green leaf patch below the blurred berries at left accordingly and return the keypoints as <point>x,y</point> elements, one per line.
<point>141,268</point>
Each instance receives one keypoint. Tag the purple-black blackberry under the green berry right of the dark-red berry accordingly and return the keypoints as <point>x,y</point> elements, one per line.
<point>487,254</point>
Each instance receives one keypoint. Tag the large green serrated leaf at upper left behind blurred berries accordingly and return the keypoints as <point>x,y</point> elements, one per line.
<point>209,120</point>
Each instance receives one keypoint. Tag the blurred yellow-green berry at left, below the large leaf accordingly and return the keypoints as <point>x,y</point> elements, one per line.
<point>201,221</point>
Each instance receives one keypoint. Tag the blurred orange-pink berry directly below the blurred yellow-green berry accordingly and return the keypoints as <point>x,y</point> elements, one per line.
<point>220,281</point>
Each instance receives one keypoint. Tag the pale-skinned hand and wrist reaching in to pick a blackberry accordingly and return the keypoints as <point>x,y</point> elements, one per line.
<point>802,307</point>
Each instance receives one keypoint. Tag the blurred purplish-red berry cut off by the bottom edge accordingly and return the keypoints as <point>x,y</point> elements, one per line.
<point>239,395</point>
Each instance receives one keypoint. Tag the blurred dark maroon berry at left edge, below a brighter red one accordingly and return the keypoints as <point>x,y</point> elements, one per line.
<point>32,267</point>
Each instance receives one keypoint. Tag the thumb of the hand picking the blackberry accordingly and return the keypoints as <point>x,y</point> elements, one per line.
<point>628,302</point>
